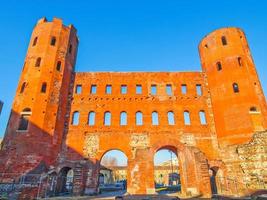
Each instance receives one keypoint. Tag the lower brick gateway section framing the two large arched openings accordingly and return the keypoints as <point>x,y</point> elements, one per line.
<point>140,150</point>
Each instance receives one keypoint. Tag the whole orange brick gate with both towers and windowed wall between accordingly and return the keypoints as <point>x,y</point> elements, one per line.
<point>56,102</point>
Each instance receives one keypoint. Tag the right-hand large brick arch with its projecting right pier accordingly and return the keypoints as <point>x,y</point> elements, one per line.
<point>193,166</point>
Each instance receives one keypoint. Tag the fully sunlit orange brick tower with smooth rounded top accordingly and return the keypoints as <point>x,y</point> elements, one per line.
<point>238,101</point>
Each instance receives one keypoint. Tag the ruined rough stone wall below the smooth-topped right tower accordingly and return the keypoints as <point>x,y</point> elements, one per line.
<point>246,165</point>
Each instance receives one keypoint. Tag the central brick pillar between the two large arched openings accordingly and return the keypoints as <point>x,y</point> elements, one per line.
<point>140,174</point>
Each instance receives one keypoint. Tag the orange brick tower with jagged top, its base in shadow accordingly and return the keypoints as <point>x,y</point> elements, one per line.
<point>39,112</point>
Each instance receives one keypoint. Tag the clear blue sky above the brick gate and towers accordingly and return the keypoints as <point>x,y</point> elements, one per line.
<point>128,35</point>
